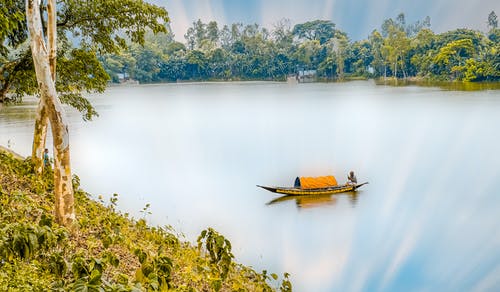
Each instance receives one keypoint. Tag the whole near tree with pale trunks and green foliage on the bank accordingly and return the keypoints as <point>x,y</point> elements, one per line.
<point>100,27</point>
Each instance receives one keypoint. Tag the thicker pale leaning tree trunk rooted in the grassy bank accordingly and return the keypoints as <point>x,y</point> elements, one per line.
<point>63,188</point>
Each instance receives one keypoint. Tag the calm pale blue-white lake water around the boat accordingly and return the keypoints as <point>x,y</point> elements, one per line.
<point>428,221</point>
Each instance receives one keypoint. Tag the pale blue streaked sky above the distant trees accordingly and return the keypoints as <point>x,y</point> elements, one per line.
<point>356,17</point>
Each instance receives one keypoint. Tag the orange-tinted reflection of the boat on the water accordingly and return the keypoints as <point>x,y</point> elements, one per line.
<point>312,201</point>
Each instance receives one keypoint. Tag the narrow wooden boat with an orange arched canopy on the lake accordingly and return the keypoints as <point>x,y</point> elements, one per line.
<point>304,186</point>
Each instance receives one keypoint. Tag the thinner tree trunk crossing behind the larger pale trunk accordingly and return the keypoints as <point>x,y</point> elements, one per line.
<point>42,120</point>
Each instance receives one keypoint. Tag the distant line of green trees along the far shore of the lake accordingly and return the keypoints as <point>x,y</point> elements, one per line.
<point>250,52</point>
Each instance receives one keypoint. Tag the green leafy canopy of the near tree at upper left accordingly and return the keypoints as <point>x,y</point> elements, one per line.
<point>99,26</point>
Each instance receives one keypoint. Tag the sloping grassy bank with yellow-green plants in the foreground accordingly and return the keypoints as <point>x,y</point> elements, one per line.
<point>105,250</point>
